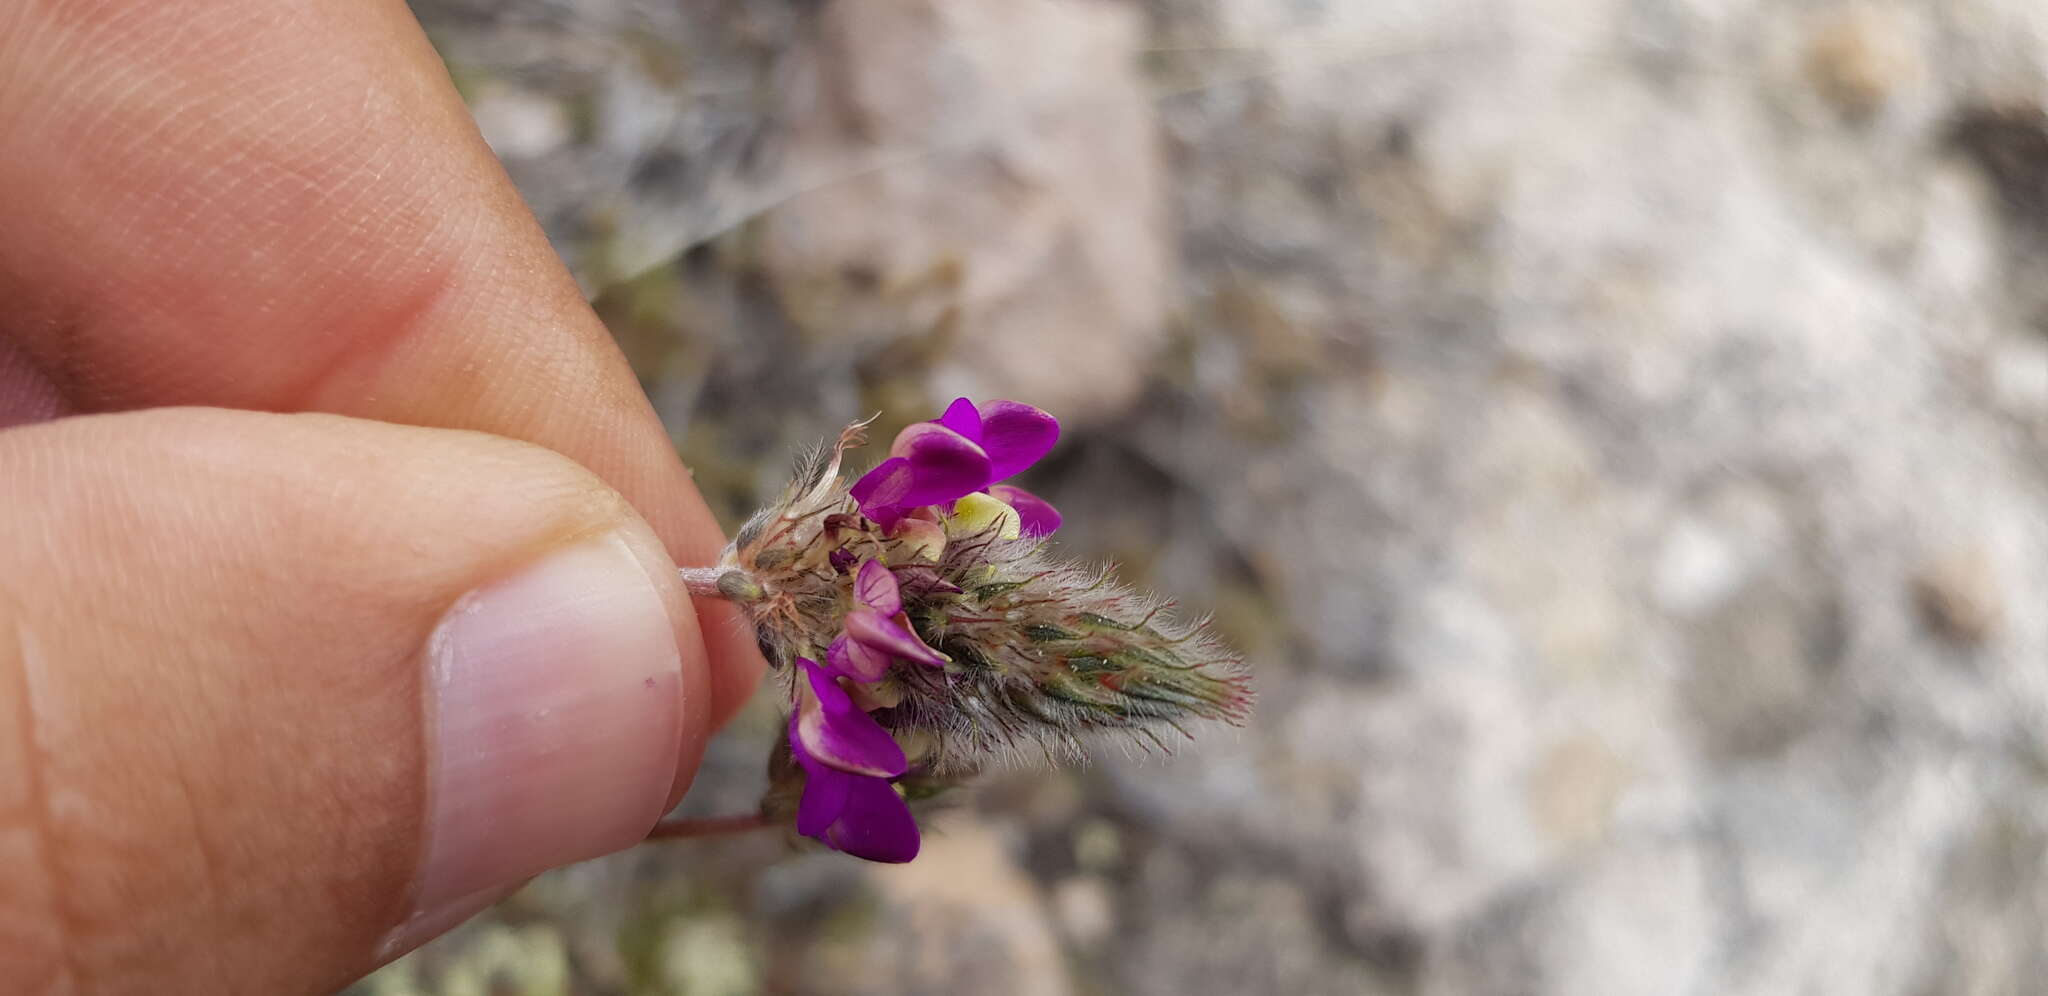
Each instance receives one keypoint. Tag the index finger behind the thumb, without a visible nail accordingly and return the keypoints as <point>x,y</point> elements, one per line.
<point>284,206</point>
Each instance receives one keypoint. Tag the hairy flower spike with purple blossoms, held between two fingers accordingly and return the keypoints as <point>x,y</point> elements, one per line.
<point>925,630</point>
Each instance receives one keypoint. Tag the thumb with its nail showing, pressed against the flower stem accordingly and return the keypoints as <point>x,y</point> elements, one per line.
<point>286,696</point>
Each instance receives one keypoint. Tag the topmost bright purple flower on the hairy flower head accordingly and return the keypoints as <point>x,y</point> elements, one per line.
<point>964,452</point>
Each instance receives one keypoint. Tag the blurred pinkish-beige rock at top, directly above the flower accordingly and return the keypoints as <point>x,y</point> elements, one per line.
<point>988,175</point>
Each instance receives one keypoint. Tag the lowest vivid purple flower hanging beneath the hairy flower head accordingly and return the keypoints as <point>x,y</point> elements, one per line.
<point>847,761</point>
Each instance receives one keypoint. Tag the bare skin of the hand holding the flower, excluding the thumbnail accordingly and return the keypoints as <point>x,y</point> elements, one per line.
<point>286,368</point>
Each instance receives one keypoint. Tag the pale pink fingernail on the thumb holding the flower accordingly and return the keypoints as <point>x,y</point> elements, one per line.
<point>554,718</point>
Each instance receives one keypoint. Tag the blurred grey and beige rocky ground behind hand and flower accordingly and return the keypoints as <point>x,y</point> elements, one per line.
<point>1617,431</point>
